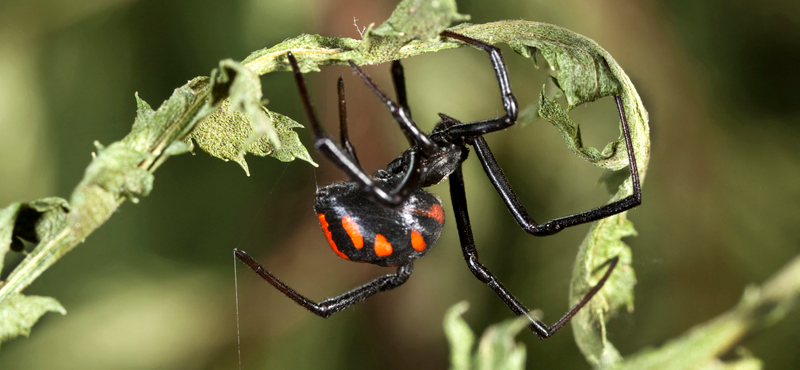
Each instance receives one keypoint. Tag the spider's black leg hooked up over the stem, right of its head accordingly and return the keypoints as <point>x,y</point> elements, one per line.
<point>478,128</point>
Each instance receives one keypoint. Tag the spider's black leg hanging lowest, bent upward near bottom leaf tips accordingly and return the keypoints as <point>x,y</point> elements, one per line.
<point>482,273</point>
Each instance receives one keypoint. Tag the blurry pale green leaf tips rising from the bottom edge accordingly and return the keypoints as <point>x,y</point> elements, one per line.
<point>497,349</point>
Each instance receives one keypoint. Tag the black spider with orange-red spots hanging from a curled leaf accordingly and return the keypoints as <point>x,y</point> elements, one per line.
<point>388,220</point>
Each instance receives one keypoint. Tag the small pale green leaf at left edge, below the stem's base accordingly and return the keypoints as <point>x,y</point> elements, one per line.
<point>20,312</point>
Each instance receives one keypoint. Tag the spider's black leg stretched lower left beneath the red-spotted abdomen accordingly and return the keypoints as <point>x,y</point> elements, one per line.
<point>333,305</point>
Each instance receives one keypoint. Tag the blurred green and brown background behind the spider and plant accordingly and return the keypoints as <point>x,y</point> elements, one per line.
<point>154,287</point>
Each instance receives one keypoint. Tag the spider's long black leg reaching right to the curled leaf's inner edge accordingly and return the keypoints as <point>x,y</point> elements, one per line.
<point>501,184</point>
